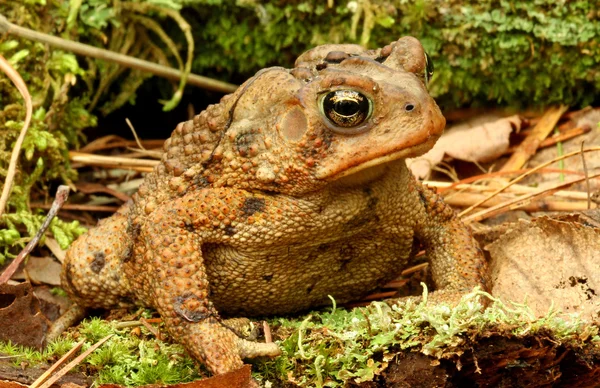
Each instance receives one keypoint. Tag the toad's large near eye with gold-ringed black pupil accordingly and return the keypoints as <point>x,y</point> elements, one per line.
<point>346,108</point>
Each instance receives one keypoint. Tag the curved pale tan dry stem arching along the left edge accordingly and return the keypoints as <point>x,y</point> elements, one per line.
<point>16,79</point>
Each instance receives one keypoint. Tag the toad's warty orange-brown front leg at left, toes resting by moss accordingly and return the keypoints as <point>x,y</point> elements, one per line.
<point>169,272</point>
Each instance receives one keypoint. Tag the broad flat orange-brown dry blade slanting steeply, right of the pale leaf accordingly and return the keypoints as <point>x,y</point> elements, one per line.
<point>530,145</point>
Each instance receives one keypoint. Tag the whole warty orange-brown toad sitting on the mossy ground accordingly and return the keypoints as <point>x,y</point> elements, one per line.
<point>291,189</point>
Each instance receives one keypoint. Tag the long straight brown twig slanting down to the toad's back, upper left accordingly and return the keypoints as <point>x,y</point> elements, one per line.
<point>107,55</point>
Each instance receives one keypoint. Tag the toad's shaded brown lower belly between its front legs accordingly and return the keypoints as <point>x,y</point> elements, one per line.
<point>280,280</point>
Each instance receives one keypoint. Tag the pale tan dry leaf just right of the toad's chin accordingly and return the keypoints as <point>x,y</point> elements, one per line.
<point>481,140</point>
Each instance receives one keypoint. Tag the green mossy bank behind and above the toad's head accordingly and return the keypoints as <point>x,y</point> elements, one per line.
<point>516,54</point>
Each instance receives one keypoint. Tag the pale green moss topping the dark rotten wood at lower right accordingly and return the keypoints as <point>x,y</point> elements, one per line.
<point>342,346</point>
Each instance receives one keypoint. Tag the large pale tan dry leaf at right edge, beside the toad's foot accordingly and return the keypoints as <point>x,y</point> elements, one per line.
<point>549,261</point>
